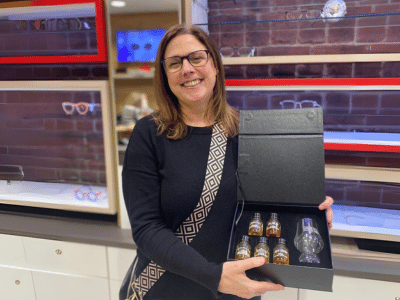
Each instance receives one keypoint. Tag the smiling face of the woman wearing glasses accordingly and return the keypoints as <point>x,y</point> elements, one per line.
<point>193,86</point>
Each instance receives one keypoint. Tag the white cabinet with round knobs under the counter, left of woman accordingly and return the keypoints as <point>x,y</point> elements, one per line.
<point>42,269</point>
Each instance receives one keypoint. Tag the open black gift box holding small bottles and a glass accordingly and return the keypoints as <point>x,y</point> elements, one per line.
<point>281,170</point>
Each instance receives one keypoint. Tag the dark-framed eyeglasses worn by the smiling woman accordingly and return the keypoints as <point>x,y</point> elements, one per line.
<point>196,59</point>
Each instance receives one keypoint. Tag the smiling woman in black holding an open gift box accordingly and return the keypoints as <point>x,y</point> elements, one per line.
<point>164,178</point>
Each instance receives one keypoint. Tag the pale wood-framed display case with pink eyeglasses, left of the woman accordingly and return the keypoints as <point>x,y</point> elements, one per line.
<point>57,146</point>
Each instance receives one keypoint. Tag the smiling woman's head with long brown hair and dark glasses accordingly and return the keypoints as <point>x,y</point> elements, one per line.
<point>196,93</point>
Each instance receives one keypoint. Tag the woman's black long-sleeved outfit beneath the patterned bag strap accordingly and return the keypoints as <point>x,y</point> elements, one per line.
<point>162,184</point>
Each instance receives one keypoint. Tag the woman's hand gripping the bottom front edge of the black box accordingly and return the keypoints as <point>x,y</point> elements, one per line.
<point>234,280</point>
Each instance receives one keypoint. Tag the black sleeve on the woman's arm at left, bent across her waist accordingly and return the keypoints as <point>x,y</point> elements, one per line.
<point>142,178</point>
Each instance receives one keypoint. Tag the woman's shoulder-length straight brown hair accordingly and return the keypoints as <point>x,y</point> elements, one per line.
<point>169,116</point>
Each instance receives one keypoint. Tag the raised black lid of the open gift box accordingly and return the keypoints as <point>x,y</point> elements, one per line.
<point>281,156</point>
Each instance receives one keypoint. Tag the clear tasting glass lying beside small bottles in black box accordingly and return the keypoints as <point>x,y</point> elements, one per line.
<point>308,241</point>
